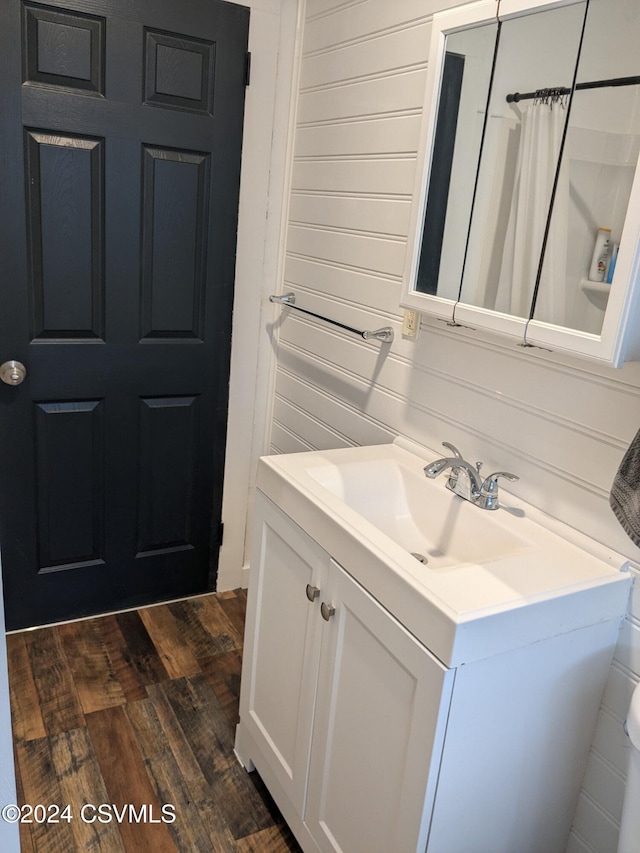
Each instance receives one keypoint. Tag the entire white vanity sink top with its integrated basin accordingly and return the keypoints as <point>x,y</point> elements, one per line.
<point>493,579</point>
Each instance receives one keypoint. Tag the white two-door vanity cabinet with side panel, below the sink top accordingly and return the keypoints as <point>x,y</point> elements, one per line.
<point>370,744</point>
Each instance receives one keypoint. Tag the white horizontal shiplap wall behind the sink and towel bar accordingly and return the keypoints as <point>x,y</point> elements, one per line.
<point>561,424</point>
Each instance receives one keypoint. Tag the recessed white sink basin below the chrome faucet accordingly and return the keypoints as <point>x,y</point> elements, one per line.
<point>437,527</point>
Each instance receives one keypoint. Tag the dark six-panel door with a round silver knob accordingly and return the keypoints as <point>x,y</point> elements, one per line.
<point>122,130</point>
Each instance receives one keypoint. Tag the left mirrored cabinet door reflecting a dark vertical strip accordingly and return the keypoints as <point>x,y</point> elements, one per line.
<point>460,62</point>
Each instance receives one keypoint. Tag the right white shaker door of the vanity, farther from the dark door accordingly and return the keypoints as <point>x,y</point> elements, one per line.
<point>381,712</point>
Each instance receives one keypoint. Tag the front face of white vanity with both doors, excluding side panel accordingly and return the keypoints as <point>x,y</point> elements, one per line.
<point>342,711</point>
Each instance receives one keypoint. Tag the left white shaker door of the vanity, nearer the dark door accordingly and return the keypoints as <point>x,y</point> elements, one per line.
<point>282,647</point>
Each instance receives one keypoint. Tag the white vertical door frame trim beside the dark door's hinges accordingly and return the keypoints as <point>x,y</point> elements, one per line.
<point>275,36</point>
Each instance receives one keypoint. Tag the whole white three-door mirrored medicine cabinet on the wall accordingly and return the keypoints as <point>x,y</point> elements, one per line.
<point>529,146</point>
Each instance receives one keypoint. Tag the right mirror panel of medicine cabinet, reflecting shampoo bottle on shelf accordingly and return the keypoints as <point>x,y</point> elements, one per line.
<point>597,171</point>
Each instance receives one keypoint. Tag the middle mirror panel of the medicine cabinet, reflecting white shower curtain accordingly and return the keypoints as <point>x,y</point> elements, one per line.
<point>524,128</point>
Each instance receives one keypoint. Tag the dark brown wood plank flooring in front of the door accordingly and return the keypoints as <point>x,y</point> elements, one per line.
<point>138,708</point>
